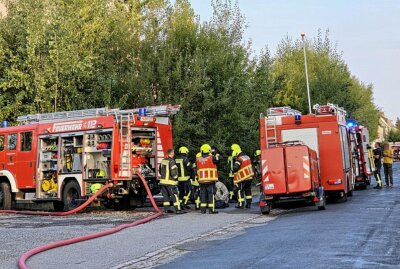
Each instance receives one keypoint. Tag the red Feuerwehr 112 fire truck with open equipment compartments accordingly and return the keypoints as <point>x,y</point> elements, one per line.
<point>64,157</point>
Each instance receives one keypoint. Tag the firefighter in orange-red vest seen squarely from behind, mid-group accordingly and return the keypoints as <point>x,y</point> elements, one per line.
<point>207,174</point>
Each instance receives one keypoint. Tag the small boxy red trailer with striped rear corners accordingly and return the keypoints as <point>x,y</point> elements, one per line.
<point>290,173</point>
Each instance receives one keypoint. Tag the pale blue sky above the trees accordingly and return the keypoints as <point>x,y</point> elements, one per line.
<point>366,31</point>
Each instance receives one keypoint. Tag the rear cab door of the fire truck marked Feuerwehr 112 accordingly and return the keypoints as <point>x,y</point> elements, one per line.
<point>26,161</point>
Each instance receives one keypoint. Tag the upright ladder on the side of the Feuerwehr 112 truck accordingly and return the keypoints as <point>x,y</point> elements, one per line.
<point>125,170</point>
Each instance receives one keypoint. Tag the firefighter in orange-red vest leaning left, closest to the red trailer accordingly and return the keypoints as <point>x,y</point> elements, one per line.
<point>243,175</point>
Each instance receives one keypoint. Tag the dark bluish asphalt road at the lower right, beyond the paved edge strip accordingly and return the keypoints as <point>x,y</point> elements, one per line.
<point>361,233</point>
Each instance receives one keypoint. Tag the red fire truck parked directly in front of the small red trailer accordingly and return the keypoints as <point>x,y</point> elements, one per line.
<point>325,132</point>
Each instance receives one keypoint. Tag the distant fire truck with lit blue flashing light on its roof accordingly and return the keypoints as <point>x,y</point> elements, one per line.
<point>362,156</point>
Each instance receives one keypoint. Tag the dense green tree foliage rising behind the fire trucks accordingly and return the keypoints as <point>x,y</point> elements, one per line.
<point>61,55</point>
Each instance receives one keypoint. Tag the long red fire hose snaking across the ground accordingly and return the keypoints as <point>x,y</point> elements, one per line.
<point>22,260</point>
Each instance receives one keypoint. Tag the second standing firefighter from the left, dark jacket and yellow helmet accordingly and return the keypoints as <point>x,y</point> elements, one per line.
<point>184,174</point>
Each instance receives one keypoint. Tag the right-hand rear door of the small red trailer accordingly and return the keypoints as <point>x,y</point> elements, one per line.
<point>298,169</point>
